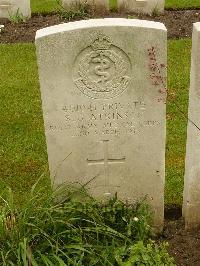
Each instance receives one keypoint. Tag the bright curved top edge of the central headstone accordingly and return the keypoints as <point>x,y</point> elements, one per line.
<point>95,23</point>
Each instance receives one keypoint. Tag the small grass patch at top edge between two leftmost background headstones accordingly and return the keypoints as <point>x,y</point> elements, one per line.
<point>45,6</point>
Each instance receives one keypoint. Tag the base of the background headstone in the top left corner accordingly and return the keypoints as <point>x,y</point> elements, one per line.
<point>10,8</point>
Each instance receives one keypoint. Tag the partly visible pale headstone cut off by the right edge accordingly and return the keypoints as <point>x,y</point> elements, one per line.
<point>191,199</point>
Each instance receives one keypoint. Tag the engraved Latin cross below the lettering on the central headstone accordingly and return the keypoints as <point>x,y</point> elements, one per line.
<point>106,161</point>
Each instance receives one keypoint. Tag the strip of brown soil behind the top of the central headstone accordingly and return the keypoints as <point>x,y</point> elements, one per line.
<point>178,23</point>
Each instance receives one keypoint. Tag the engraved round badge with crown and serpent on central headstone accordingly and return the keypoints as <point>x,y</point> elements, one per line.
<point>102,70</point>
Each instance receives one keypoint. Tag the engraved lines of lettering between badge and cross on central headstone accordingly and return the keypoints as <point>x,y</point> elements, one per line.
<point>79,120</point>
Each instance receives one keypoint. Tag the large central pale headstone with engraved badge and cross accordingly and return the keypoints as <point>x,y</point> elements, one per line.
<point>103,96</point>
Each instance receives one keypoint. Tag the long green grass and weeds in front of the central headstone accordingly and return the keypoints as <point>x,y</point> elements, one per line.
<point>75,230</point>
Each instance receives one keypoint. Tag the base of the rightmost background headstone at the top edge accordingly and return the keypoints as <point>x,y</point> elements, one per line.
<point>142,6</point>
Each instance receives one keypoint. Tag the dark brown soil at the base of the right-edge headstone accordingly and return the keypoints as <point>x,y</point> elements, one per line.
<point>184,245</point>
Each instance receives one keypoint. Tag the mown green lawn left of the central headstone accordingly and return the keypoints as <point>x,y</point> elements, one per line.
<point>23,155</point>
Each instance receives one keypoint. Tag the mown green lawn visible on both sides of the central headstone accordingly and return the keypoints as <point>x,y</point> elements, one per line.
<point>23,156</point>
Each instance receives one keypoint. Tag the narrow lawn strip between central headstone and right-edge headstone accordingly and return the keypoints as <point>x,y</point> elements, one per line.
<point>178,83</point>
